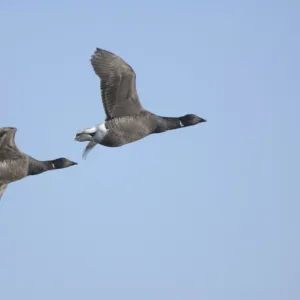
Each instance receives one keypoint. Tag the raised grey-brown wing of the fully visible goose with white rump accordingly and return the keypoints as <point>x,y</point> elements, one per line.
<point>118,85</point>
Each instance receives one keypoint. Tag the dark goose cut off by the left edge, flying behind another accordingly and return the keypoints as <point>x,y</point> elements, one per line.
<point>15,165</point>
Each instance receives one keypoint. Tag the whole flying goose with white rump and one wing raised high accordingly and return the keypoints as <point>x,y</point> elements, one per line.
<point>126,120</point>
